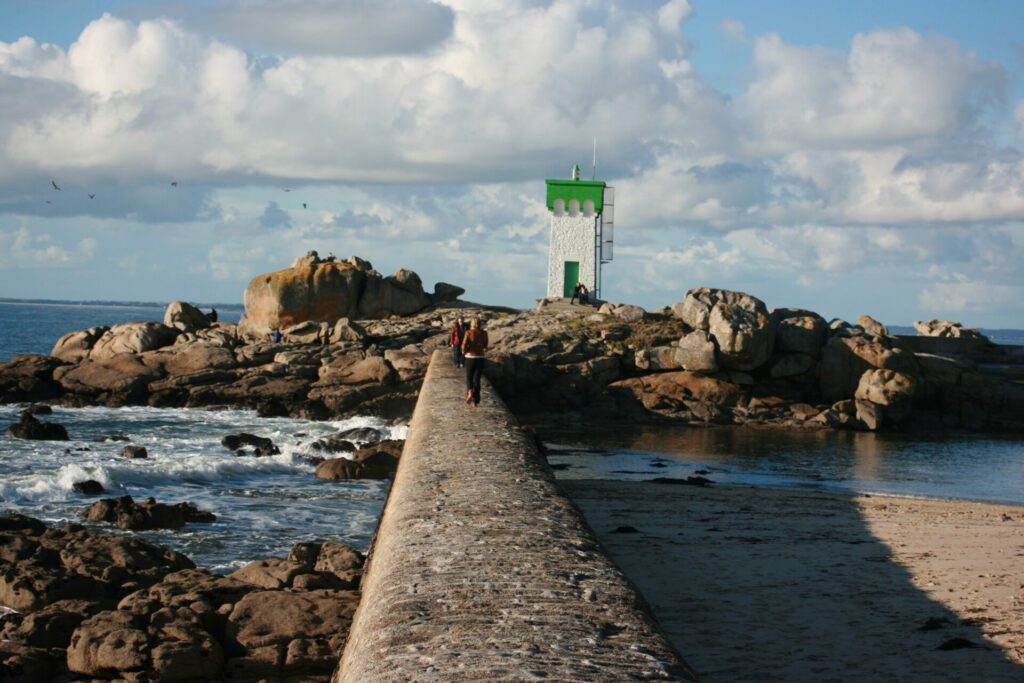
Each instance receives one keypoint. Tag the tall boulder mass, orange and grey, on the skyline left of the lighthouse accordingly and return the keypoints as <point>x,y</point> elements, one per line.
<point>325,290</point>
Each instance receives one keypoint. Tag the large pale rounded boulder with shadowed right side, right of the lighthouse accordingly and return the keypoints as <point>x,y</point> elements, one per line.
<point>745,337</point>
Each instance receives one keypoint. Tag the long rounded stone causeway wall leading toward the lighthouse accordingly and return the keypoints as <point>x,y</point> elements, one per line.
<point>483,571</point>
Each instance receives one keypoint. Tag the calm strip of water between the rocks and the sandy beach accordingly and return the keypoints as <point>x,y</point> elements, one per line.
<point>977,467</point>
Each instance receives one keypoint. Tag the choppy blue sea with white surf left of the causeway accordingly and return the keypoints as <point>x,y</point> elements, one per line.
<point>264,505</point>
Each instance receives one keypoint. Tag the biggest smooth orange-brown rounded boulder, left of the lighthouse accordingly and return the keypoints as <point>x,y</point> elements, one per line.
<point>311,290</point>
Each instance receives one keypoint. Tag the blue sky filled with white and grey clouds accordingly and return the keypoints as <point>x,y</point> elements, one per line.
<point>847,158</point>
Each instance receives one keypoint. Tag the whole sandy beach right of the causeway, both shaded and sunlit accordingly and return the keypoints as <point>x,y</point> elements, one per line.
<point>778,585</point>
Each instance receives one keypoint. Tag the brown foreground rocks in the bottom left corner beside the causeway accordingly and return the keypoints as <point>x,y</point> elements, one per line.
<point>99,608</point>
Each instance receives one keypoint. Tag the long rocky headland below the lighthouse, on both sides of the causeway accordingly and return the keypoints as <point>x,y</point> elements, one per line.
<point>785,368</point>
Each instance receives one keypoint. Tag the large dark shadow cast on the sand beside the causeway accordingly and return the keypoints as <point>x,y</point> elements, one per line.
<point>770,585</point>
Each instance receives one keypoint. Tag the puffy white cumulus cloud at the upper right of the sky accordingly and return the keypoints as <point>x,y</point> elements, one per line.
<point>893,87</point>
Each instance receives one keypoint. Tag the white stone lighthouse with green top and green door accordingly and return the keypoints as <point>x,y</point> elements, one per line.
<point>582,234</point>
